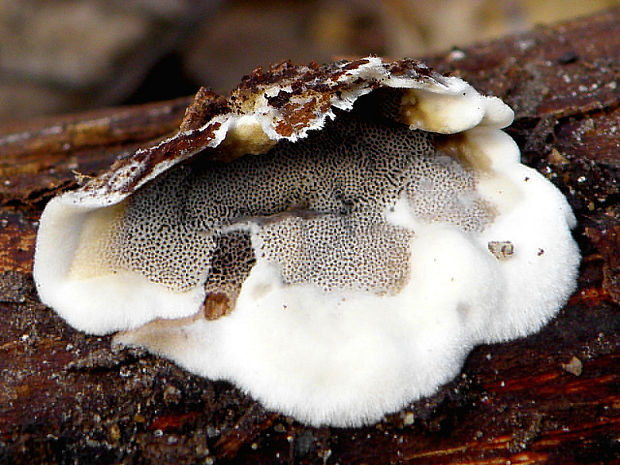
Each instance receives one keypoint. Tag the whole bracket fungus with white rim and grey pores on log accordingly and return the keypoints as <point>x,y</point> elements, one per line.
<point>332,239</point>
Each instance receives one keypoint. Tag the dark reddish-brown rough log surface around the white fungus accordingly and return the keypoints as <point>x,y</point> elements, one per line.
<point>551,398</point>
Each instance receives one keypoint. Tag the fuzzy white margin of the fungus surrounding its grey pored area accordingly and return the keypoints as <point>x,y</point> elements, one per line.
<point>345,358</point>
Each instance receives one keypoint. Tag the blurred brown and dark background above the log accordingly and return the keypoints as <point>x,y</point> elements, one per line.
<point>63,56</point>
